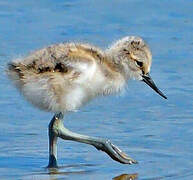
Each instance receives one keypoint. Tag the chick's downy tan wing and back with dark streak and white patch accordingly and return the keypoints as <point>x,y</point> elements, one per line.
<point>69,60</point>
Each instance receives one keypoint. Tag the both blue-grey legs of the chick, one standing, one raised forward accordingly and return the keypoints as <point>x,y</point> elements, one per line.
<point>58,129</point>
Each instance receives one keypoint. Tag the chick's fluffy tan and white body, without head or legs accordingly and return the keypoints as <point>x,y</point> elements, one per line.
<point>63,77</point>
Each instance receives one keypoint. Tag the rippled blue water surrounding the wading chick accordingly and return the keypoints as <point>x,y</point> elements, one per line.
<point>156,132</point>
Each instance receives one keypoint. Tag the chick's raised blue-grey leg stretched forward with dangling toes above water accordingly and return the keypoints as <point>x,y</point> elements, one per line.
<point>101,144</point>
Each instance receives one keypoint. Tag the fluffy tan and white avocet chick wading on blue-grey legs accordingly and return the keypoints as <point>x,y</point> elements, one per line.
<point>63,77</point>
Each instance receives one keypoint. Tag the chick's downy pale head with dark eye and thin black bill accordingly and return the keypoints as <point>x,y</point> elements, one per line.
<point>134,56</point>
